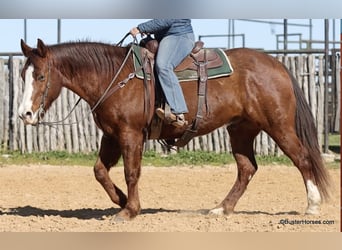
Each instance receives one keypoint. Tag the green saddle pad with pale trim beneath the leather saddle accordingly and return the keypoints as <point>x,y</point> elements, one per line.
<point>188,74</point>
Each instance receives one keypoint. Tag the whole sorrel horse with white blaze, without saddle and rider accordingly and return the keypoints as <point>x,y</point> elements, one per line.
<point>261,94</point>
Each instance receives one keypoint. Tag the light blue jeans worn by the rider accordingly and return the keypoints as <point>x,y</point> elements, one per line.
<point>171,52</point>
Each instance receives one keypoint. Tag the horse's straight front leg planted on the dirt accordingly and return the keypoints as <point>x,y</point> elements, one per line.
<point>131,143</point>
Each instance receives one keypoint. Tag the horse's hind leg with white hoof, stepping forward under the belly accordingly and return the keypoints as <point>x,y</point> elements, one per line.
<point>242,137</point>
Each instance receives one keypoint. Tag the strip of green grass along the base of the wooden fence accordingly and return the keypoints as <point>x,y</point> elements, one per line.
<point>198,158</point>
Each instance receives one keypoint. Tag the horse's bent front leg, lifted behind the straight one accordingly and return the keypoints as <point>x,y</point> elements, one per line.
<point>108,157</point>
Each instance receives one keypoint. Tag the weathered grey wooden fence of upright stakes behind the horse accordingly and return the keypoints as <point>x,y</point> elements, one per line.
<point>84,136</point>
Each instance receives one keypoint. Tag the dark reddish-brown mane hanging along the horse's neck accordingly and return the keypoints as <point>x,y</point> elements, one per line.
<point>74,58</point>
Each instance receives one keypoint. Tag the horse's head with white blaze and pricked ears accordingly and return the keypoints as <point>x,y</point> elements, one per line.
<point>41,85</point>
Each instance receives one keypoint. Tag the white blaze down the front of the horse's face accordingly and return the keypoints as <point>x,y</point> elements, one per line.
<point>26,104</point>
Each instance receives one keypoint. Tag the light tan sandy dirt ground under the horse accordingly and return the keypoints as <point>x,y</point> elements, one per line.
<point>174,199</point>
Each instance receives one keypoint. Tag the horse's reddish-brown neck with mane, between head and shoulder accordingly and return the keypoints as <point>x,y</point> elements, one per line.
<point>89,68</point>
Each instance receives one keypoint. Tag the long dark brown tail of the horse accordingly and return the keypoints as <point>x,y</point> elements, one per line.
<point>307,133</point>
